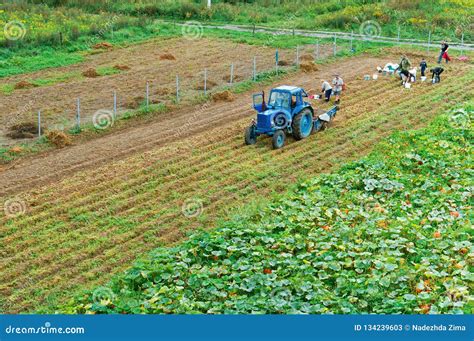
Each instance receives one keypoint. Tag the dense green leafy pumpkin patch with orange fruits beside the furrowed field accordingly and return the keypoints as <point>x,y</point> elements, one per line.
<point>387,234</point>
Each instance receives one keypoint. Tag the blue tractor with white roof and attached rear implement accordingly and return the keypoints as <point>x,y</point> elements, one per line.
<point>285,112</point>
